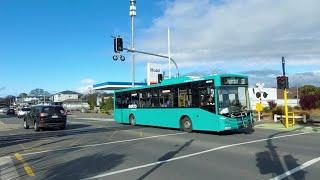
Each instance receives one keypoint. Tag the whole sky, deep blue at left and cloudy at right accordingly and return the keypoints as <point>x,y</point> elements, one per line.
<point>66,44</point>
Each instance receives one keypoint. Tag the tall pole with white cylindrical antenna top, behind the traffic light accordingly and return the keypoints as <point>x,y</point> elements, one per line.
<point>132,14</point>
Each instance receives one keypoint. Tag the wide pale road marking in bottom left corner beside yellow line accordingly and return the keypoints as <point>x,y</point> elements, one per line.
<point>7,169</point>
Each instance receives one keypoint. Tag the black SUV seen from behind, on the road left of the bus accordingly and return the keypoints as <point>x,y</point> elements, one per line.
<point>44,116</point>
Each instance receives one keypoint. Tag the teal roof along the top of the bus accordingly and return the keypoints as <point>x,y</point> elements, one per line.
<point>184,79</point>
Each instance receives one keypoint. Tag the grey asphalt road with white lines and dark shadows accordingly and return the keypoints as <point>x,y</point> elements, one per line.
<point>96,148</point>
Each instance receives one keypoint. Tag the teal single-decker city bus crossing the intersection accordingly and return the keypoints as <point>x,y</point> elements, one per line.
<point>208,103</point>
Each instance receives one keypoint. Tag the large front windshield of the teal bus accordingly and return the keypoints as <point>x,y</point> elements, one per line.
<point>233,100</point>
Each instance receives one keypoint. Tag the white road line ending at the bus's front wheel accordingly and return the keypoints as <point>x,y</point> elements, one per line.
<point>101,144</point>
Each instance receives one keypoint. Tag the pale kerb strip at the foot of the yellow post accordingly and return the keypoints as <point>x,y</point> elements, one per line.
<point>298,127</point>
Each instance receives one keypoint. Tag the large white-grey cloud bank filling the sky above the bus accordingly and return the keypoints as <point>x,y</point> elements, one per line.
<point>237,31</point>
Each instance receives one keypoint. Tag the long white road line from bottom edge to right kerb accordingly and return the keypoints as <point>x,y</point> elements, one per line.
<point>187,156</point>
